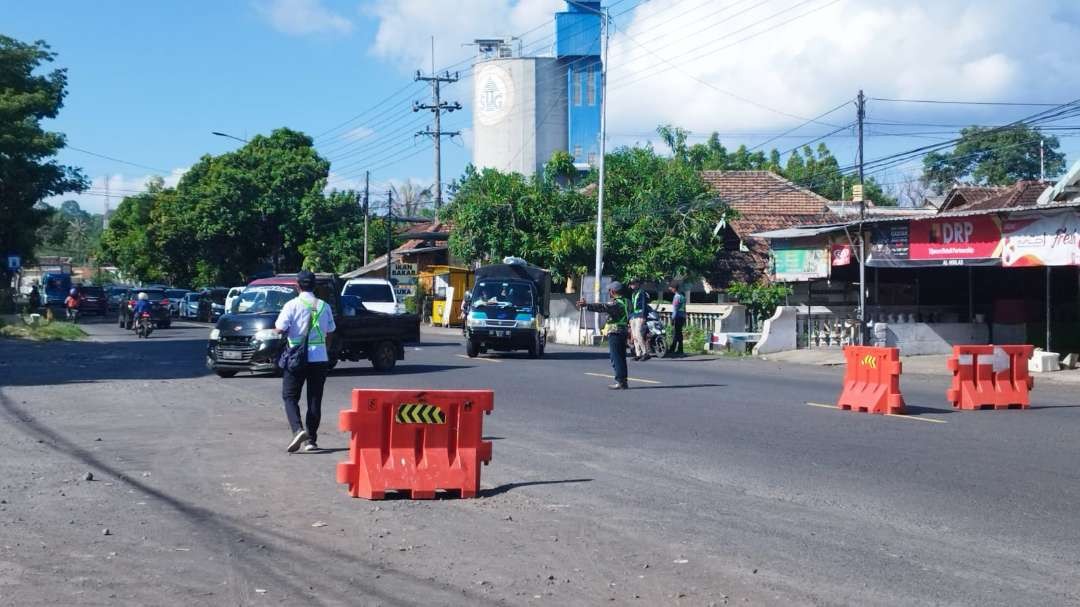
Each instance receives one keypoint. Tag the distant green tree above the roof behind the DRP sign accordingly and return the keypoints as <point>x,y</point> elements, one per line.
<point>994,157</point>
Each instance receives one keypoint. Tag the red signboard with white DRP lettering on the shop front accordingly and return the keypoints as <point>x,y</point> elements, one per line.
<point>960,238</point>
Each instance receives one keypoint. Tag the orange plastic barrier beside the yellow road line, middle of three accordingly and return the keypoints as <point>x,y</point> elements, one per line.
<point>872,381</point>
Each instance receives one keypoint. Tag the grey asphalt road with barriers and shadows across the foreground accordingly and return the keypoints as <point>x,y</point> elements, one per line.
<point>711,482</point>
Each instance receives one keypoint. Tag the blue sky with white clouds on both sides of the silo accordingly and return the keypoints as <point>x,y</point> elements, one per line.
<point>150,82</point>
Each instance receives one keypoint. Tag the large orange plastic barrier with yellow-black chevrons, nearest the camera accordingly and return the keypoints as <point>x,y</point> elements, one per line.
<point>415,441</point>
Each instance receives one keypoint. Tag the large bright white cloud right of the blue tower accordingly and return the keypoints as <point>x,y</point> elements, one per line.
<point>923,49</point>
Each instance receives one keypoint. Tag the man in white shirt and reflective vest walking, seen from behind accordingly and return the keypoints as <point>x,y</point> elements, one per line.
<point>302,315</point>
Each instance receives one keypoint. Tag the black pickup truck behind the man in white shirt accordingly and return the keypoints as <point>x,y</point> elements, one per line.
<point>244,339</point>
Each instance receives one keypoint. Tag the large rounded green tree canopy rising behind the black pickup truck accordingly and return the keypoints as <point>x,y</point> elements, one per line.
<point>260,209</point>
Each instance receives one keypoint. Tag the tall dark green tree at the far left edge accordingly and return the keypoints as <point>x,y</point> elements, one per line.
<point>28,172</point>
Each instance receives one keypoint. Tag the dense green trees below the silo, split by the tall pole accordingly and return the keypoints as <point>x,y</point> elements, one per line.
<point>659,219</point>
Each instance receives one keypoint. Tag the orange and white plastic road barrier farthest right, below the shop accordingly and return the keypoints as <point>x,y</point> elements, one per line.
<point>991,377</point>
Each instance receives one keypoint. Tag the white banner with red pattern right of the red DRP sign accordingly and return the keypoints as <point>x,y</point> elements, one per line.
<point>1044,240</point>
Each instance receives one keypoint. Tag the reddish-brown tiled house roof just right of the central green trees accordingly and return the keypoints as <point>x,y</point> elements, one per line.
<point>765,201</point>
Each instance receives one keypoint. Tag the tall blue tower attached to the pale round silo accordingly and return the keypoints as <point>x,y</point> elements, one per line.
<point>578,49</point>
